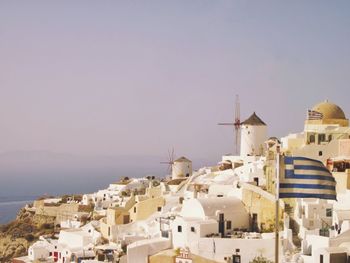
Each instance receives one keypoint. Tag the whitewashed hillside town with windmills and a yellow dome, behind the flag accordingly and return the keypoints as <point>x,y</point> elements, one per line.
<point>221,213</point>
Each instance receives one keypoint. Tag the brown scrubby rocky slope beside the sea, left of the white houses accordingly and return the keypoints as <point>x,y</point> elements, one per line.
<point>18,235</point>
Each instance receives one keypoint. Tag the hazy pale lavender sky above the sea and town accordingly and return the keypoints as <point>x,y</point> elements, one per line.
<point>138,77</point>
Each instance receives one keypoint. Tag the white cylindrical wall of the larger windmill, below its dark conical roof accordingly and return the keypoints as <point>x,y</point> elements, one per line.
<point>253,138</point>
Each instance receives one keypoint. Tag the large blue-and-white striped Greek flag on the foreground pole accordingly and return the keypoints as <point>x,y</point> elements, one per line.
<point>305,178</point>
